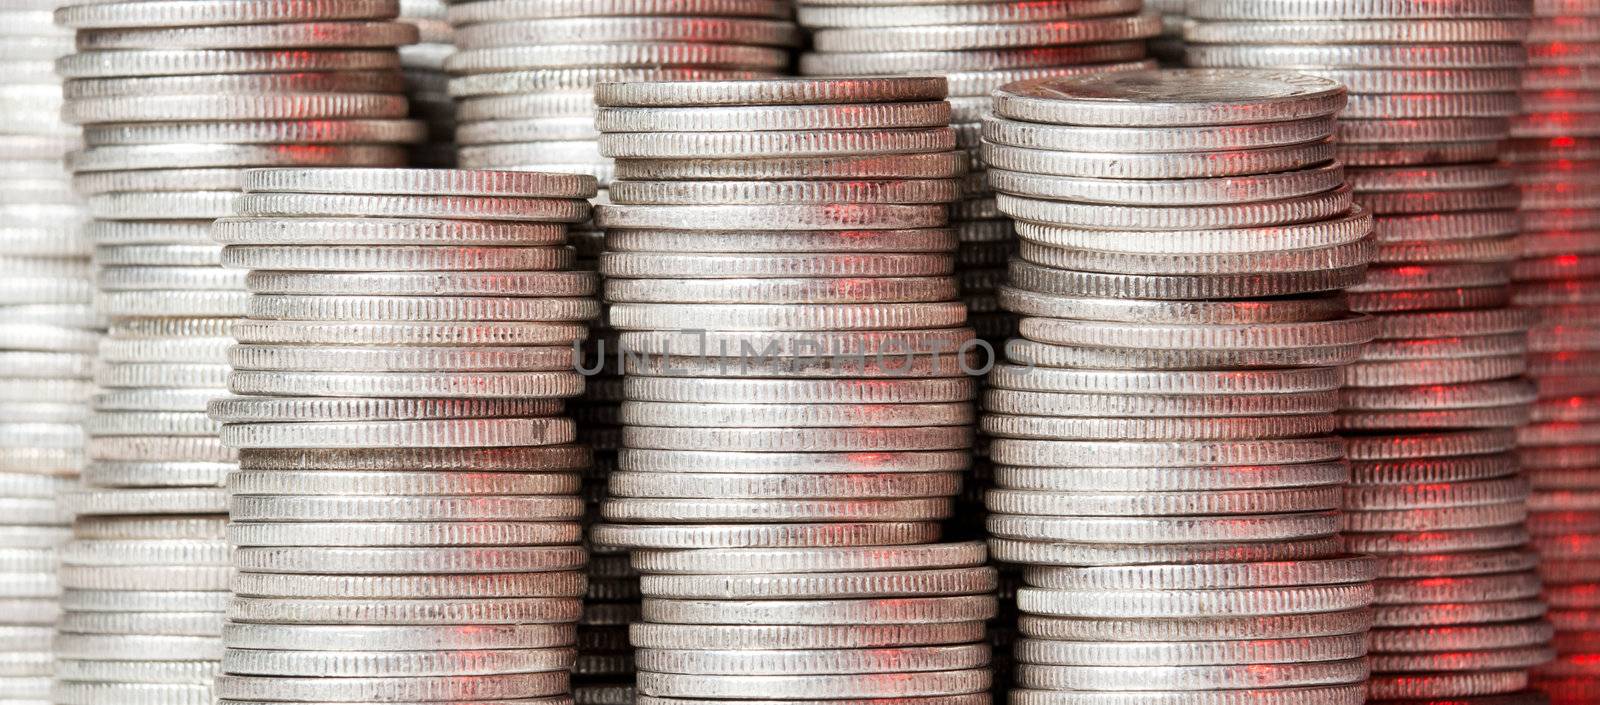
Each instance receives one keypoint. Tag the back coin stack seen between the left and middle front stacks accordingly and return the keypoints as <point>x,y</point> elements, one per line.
<point>527,70</point>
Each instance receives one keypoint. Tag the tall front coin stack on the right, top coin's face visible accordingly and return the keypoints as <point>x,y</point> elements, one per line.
<point>1166,463</point>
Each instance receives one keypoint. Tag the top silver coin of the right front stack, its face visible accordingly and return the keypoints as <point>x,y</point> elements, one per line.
<point>1170,98</point>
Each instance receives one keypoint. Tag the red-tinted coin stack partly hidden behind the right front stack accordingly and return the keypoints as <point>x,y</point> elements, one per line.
<point>1431,407</point>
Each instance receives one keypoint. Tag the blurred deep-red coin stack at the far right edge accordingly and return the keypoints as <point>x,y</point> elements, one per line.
<point>1554,153</point>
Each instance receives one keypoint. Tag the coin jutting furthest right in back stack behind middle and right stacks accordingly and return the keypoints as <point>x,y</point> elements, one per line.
<point>966,38</point>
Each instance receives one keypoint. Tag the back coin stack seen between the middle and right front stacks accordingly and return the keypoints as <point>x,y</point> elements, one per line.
<point>978,47</point>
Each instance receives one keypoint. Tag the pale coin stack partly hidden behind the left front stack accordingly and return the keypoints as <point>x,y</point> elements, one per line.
<point>175,100</point>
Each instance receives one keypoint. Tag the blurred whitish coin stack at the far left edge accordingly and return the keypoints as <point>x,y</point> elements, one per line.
<point>47,340</point>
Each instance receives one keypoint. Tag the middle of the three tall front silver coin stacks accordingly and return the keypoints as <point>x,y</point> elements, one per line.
<point>798,399</point>
